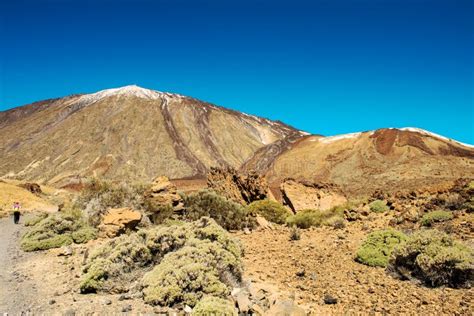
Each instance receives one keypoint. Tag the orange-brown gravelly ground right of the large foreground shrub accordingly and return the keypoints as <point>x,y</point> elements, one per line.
<point>321,263</point>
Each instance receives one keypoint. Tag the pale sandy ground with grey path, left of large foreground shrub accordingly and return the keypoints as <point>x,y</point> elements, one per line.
<point>47,283</point>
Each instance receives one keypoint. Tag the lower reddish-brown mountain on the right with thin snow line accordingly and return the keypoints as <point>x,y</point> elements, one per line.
<point>392,159</point>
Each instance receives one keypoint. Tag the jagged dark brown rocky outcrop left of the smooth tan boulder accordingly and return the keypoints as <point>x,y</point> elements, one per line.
<point>241,188</point>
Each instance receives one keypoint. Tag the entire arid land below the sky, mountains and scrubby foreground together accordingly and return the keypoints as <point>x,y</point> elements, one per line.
<point>137,202</point>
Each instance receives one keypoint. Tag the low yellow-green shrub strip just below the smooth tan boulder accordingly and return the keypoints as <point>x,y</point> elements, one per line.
<point>308,218</point>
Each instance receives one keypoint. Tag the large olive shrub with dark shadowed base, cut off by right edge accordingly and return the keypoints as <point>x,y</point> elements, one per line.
<point>435,258</point>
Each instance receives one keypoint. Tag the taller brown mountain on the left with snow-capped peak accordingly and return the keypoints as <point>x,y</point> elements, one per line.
<point>128,133</point>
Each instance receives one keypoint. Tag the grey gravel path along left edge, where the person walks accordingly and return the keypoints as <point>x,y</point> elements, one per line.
<point>17,292</point>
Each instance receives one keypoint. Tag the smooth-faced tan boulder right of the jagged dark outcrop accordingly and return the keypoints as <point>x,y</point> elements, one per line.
<point>305,195</point>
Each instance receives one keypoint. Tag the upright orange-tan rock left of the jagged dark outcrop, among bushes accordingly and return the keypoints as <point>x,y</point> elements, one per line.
<point>163,193</point>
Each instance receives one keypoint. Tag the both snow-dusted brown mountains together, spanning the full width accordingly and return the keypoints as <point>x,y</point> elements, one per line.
<point>132,133</point>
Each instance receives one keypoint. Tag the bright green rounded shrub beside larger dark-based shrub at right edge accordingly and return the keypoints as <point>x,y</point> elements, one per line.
<point>376,249</point>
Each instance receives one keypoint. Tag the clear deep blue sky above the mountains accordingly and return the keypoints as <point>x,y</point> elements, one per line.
<point>327,67</point>
